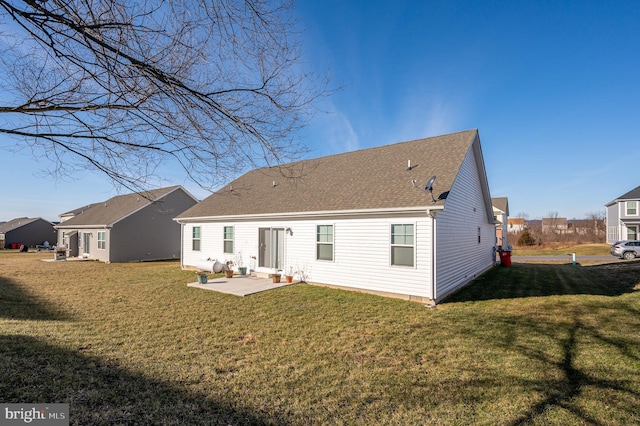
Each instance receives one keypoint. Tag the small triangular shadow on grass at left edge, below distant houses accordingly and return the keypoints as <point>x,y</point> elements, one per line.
<point>20,304</point>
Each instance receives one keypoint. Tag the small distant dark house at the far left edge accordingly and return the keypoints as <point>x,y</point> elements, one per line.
<point>26,231</point>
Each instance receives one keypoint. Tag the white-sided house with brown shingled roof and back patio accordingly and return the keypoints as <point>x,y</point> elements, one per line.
<point>360,220</point>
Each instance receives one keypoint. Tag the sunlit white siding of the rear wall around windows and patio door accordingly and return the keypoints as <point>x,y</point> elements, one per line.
<point>362,249</point>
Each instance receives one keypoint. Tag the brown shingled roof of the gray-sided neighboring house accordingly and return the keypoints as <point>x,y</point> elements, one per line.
<point>114,209</point>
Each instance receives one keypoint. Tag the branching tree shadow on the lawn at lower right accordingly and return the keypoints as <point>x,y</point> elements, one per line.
<point>567,392</point>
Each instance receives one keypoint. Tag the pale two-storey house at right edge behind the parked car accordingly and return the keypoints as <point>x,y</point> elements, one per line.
<point>623,217</point>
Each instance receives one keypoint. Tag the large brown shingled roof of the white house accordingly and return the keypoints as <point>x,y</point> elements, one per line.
<point>374,178</point>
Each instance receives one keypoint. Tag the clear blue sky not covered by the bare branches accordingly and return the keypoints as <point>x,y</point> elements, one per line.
<point>553,88</point>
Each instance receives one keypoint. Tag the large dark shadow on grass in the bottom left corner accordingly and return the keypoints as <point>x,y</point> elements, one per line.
<point>102,394</point>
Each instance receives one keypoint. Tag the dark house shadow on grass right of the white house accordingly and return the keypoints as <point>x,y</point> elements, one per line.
<point>538,280</point>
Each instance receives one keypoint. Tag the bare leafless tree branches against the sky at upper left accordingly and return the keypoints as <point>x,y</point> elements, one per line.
<point>213,87</point>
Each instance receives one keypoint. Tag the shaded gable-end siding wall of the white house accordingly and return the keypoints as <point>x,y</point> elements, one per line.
<point>460,258</point>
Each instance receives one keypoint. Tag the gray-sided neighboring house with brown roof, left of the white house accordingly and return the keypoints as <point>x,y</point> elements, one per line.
<point>127,228</point>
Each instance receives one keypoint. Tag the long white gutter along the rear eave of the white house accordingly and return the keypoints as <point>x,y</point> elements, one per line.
<point>302,215</point>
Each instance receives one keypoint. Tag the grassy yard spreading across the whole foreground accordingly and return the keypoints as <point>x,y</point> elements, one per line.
<point>132,344</point>
